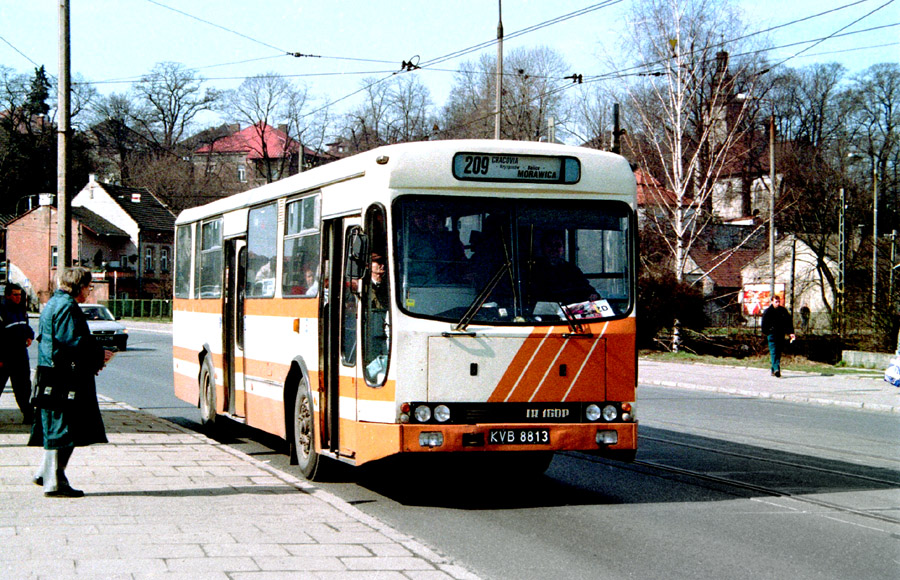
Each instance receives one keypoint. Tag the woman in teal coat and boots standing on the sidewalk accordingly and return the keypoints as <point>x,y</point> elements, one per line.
<point>67,413</point>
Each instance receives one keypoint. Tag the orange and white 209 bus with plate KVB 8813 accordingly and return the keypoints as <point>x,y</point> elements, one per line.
<point>465,298</point>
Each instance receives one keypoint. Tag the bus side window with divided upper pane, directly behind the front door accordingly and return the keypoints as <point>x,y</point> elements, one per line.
<point>300,276</point>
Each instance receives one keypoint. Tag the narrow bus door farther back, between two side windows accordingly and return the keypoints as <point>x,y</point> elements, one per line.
<point>233,327</point>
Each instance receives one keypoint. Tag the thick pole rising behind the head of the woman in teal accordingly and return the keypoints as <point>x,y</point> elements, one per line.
<point>64,204</point>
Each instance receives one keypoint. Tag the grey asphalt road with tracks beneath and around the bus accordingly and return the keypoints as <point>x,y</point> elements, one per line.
<point>724,487</point>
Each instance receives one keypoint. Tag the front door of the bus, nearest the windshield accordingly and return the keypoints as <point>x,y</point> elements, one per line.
<point>342,247</point>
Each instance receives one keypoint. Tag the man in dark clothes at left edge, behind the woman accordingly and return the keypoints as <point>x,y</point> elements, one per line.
<point>16,338</point>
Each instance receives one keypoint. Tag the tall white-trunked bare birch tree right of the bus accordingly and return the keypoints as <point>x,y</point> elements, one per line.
<point>686,109</point>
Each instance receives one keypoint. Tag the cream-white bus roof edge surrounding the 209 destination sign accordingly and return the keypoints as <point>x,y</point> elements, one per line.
<point>427,165</point>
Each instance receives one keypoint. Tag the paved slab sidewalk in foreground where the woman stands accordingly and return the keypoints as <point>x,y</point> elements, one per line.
<point>164,502</point>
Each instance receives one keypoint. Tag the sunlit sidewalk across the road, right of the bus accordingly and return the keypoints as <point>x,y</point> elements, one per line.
<point>865,390</point>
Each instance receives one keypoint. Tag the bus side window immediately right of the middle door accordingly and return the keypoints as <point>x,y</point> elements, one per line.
<point>261,249</point>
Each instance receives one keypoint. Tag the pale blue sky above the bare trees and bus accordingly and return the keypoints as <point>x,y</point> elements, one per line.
<point>113,42</point>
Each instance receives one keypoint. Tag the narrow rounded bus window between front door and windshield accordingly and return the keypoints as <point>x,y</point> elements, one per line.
<point>376,307</point>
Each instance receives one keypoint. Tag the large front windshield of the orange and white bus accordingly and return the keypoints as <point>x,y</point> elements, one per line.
<point>526,261</point>
